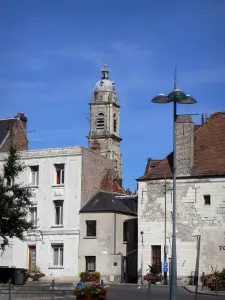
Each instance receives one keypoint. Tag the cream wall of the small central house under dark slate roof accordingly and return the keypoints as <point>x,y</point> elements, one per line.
<point>103,245</point>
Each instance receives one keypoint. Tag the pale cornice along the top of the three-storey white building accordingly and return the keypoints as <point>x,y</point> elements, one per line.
<point>49,152</point>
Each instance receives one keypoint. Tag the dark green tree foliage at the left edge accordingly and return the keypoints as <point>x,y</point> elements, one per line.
<point>14,200</point>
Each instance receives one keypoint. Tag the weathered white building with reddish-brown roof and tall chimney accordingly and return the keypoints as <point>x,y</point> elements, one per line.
<point>200,200</point>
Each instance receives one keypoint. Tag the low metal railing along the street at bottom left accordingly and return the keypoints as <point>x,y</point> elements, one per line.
<point>35,290</point>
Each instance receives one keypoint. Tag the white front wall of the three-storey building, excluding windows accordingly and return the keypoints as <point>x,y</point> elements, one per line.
<point>44,194</point>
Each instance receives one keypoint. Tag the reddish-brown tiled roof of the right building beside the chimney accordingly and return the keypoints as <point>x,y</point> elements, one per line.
<point>209,151</point>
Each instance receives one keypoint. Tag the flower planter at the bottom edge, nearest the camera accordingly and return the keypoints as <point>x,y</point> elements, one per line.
<point>91,292</point>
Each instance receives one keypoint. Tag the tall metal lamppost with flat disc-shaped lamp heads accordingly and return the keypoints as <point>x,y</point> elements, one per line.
<point>176,97</point>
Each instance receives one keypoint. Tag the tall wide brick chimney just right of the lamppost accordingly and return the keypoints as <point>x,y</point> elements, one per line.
<point>184,145</point>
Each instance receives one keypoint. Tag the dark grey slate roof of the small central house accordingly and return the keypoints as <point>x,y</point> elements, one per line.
<point>106,202</point>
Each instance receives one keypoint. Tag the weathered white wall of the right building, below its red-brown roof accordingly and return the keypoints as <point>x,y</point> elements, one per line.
<point>193,217</point>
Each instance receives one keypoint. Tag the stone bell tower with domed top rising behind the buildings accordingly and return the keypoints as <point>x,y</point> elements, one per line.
<point>105,121</point>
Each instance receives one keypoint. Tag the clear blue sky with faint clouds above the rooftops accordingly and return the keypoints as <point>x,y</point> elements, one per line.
<point>51,54</point>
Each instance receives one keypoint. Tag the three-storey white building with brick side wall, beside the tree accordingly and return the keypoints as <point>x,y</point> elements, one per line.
<point>62,181</point>
